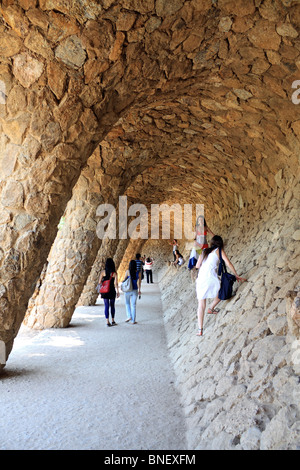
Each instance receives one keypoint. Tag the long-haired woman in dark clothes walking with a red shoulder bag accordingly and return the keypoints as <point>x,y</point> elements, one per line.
<point>110,297</point>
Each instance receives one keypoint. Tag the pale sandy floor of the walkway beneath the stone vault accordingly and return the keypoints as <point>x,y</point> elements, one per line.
<point>90,387</point>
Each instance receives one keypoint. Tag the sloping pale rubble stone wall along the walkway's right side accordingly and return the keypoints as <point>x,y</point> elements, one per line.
<point>240,382</point>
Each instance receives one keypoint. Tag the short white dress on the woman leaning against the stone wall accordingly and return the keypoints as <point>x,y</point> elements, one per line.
<point>208,283</point>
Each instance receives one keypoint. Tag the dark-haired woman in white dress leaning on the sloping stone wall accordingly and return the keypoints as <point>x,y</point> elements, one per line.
<point>208,283</point>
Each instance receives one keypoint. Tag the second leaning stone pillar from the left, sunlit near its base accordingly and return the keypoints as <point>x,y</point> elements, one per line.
<point>73,252</point>
